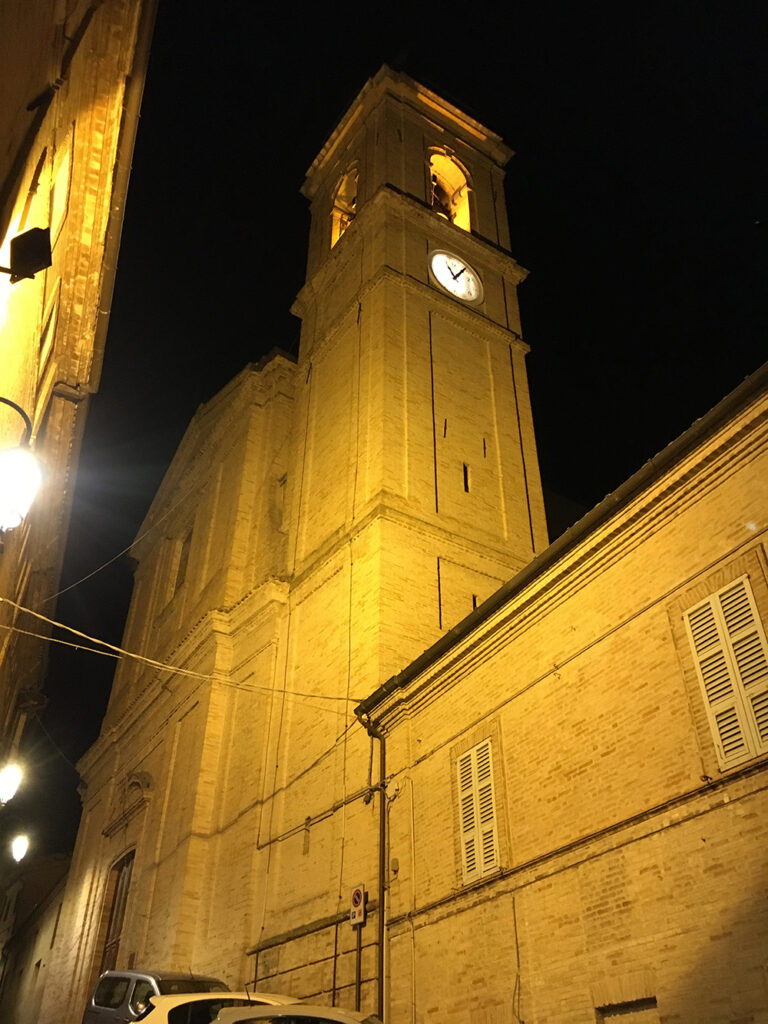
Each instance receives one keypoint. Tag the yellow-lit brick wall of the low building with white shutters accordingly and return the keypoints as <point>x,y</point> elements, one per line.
<point>631,866</point>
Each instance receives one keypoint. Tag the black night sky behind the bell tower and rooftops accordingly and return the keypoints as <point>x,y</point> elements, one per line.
<point>636,200</point>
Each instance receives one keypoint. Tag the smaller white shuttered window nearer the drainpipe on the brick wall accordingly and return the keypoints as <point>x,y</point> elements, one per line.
<point>480,837</point>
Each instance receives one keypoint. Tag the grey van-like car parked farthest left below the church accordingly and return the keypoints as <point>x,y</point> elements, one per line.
<point>121,997</point>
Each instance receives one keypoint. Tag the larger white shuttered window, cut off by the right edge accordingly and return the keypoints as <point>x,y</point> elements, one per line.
<point>732,657</point>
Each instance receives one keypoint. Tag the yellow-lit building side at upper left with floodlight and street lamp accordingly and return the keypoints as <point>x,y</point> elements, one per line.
<point>67,125</point>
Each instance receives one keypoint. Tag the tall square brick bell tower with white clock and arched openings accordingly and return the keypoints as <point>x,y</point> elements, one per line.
<point>415,452</point>
